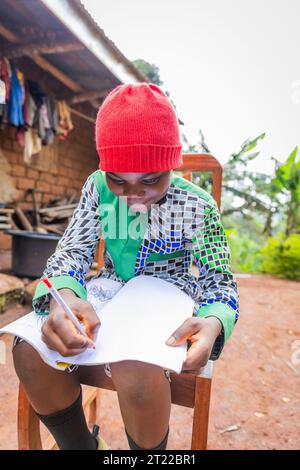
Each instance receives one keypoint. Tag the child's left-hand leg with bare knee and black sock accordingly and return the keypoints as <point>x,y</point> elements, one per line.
<point>56,398</point>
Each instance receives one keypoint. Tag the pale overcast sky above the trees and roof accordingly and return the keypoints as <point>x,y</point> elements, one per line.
<point>232,66</point>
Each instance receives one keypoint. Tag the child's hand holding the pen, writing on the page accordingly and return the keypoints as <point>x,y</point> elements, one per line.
<point>58,331</point>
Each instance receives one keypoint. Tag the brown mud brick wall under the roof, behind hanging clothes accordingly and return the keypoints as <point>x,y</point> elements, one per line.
<point>60,169</point>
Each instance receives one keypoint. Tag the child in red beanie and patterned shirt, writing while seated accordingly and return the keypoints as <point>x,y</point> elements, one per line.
<point>138,142</point>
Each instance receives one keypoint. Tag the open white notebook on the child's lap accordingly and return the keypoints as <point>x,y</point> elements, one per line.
<point>136,320</point>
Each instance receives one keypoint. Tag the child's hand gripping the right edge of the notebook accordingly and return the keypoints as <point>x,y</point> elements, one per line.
<point>201,333</point>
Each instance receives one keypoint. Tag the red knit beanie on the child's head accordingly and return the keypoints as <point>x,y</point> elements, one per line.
<point>137,130</point>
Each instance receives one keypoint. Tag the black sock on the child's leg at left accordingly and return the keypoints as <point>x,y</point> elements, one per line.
<point>69,427</point>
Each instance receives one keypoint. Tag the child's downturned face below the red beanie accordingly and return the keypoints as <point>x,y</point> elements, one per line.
<point>139,188</point>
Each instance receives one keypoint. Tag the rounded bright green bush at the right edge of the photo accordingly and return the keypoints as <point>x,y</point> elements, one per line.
<point>281,257</point>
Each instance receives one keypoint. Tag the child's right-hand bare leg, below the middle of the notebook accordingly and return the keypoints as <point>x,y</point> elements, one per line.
<point>145,401</point>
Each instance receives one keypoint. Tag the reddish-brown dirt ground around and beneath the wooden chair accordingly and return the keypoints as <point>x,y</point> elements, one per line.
<point>255,392</point>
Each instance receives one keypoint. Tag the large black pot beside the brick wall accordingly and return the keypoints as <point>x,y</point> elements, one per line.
<point>30,251</point>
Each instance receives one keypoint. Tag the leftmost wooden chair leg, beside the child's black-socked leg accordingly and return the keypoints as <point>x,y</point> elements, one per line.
<point>29,437</point>
